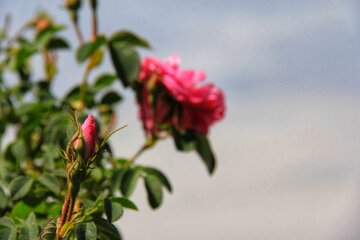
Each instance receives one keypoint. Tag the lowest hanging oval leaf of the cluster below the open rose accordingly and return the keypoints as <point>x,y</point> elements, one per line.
<point>154,191</point>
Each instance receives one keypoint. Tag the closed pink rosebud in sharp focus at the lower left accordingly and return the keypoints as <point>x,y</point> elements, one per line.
<point>89,133</point>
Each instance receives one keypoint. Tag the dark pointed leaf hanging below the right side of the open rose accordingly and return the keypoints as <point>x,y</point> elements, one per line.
<point>204,150</point>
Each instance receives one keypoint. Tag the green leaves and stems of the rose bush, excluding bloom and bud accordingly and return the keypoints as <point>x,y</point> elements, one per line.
<point>34,179</point>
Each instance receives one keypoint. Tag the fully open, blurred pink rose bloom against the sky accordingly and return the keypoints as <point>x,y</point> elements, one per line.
<point>180,100</point>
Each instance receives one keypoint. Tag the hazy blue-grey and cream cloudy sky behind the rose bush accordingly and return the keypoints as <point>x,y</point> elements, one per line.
<point>289,148</point>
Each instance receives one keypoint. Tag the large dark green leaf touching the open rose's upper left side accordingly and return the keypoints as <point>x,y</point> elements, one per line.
<point>126,62</point>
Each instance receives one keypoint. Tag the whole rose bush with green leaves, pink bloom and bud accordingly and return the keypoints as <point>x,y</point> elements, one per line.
<point>54,186</point>
